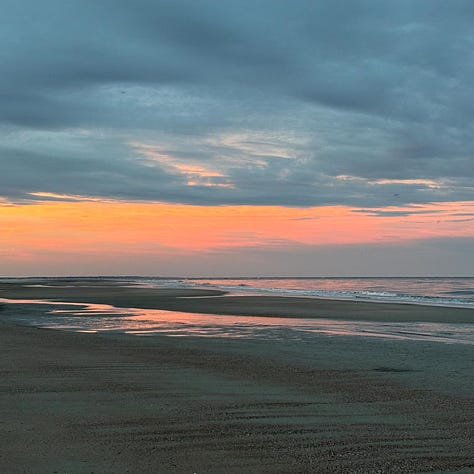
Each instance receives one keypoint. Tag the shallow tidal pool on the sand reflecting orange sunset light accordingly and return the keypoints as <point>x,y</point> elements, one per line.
<point>85,317</point>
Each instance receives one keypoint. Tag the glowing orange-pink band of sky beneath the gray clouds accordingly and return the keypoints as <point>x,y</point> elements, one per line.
<point>147,228</point>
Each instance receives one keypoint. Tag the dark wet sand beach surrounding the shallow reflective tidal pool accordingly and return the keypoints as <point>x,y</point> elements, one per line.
<point>109,403</point>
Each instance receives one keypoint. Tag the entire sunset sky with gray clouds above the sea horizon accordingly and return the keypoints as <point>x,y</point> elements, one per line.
<point>237,137</point>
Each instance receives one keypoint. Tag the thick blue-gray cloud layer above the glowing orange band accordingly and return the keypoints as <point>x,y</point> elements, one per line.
<point>298,103</point>
